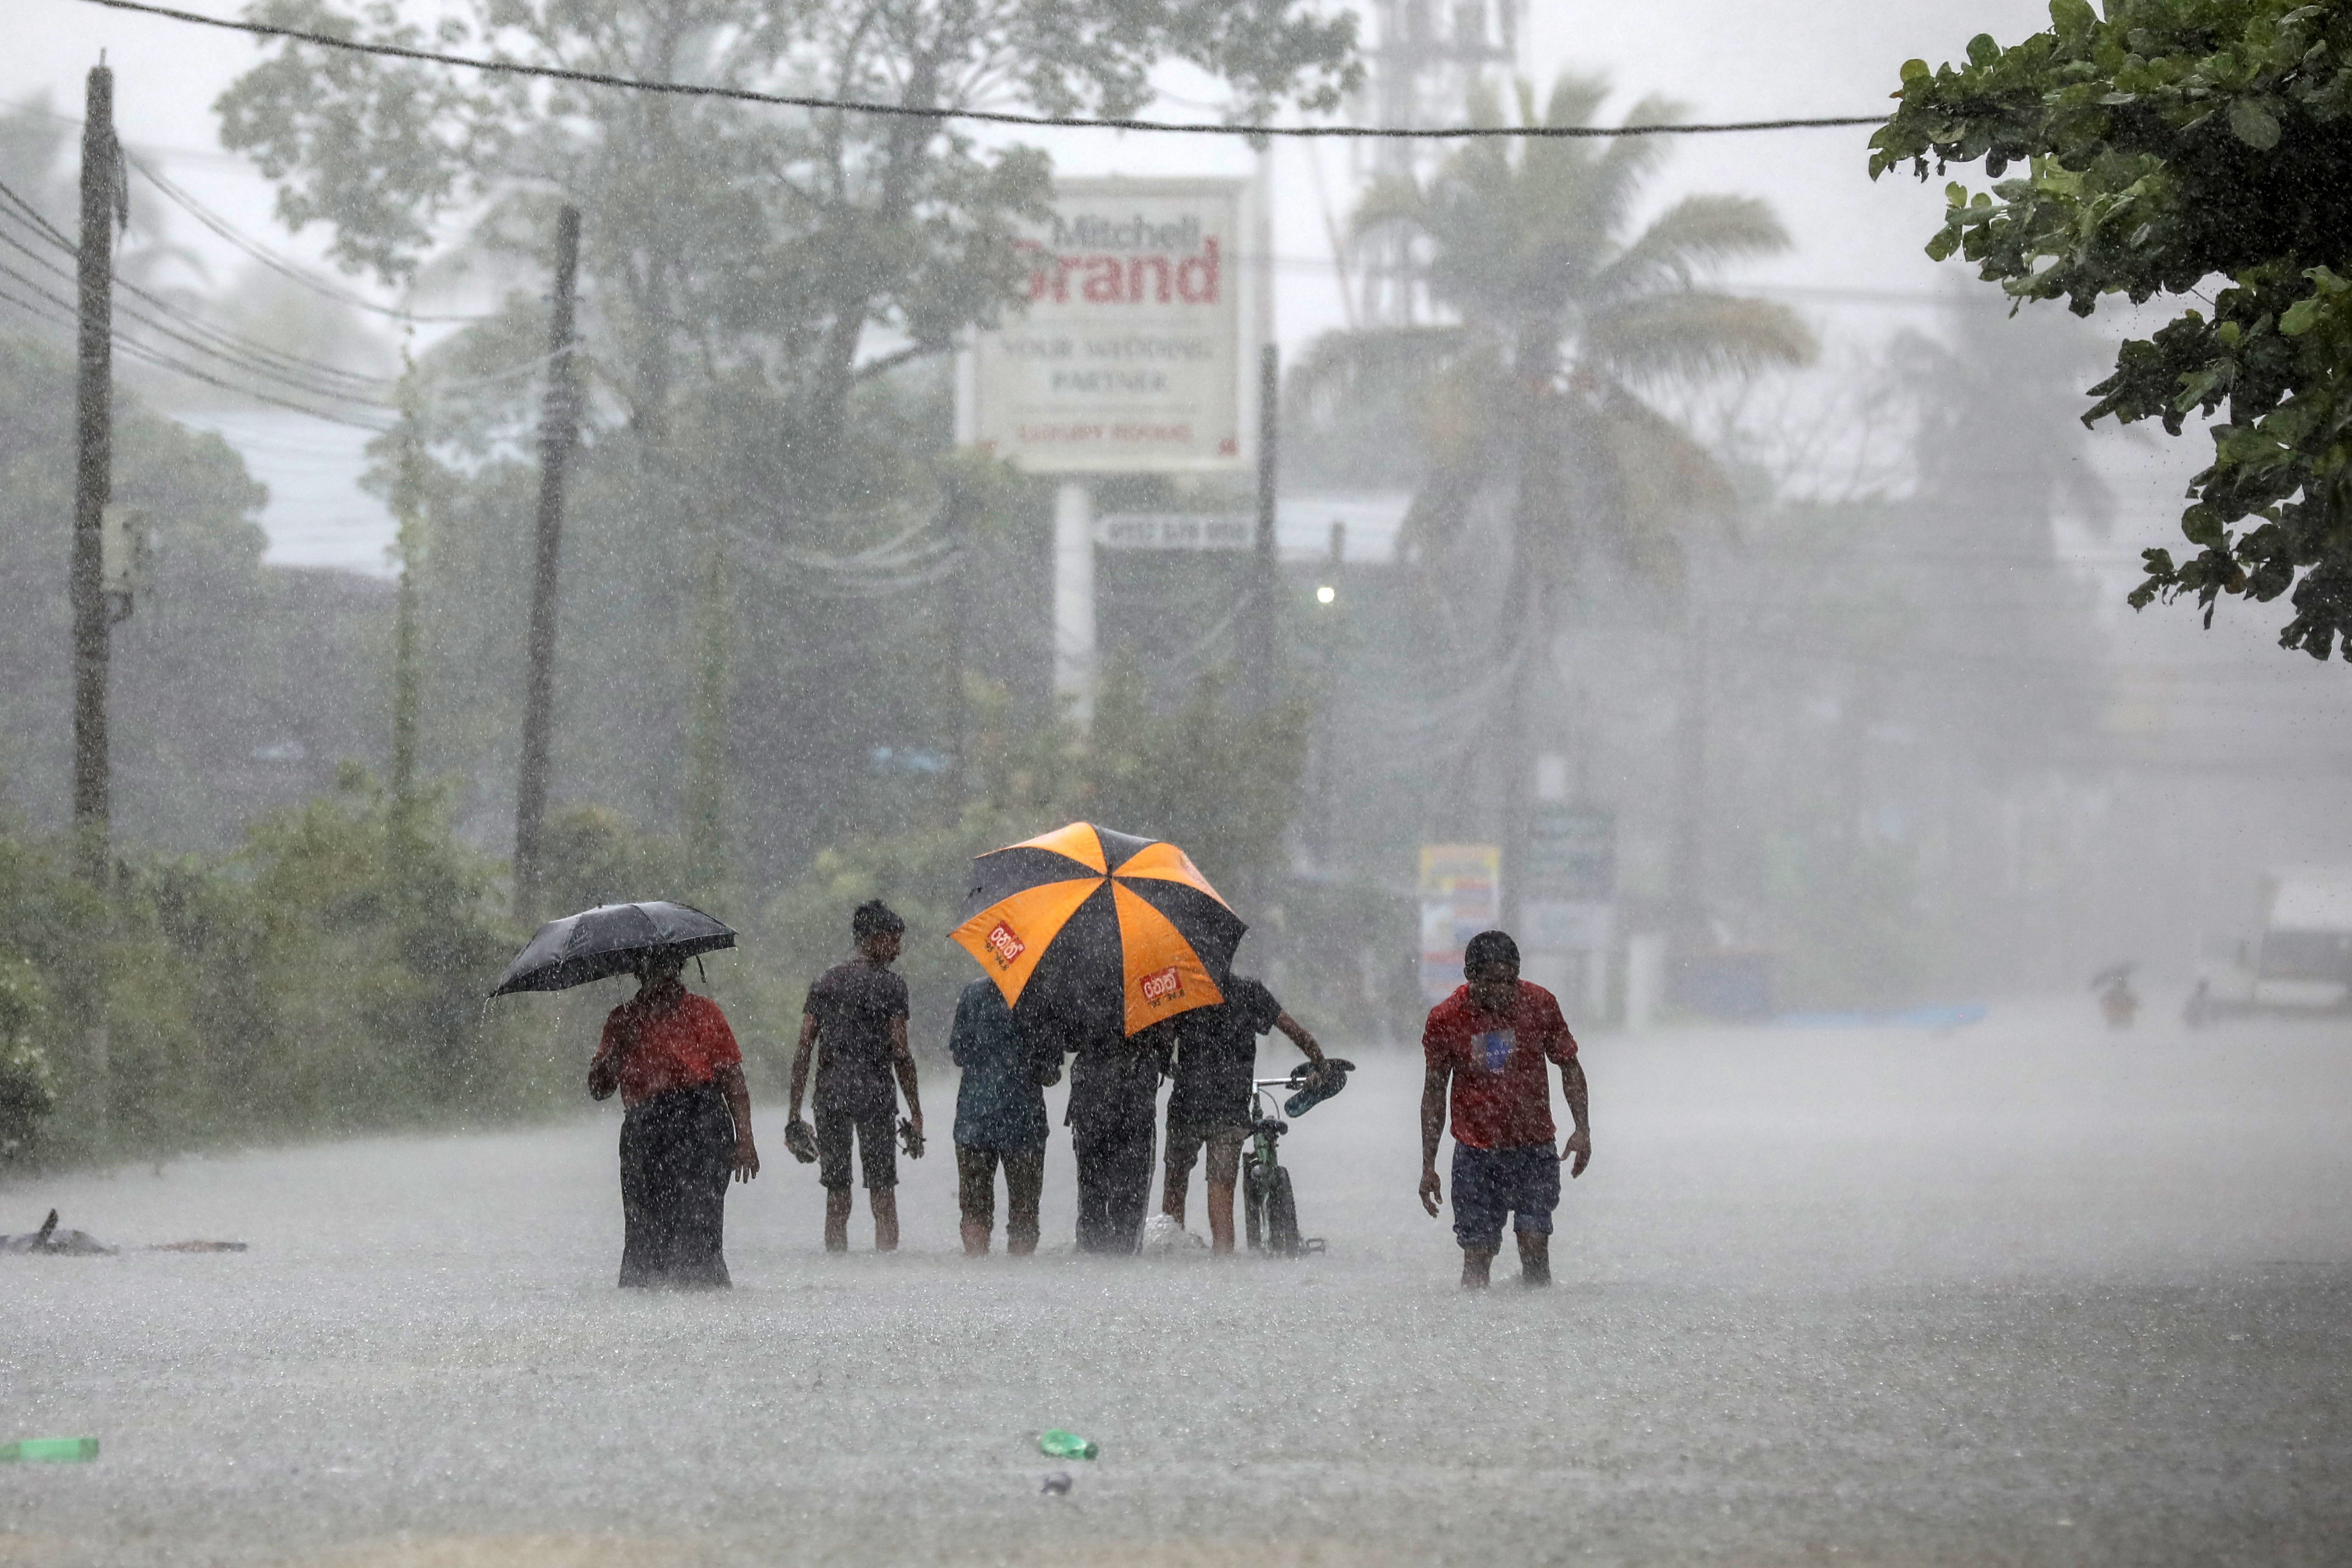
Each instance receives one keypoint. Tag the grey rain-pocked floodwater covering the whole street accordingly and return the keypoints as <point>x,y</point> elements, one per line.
<point>2017,1294</point>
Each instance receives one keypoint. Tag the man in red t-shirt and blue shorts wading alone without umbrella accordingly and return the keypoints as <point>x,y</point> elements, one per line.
<point>1488,1045</point>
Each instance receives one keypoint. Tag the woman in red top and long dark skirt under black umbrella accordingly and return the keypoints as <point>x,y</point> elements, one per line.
<point>686,1130</point>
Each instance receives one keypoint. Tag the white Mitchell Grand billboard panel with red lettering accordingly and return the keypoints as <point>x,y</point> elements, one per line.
<point>1132,354</point>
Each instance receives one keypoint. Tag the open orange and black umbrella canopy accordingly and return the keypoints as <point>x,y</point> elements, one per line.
<point>1102,930</point>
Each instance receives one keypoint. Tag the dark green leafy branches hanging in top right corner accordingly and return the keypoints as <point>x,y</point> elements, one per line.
<point>2167,145</point>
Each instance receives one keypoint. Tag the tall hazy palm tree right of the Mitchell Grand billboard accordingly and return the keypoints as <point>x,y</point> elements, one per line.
<point>1535,391</point>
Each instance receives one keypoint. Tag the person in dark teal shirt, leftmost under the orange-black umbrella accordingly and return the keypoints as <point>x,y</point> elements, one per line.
<point>998,1120</point>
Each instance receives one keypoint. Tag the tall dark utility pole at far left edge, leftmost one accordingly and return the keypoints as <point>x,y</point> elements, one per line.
<point>93,474</point>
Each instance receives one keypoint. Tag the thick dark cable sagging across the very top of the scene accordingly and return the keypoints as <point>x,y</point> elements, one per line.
<point>991,116</point>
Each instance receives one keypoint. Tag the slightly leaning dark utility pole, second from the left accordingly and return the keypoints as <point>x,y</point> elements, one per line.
<point>559,431</point>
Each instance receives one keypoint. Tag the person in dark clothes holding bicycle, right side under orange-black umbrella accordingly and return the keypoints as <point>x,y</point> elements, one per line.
<point>1217,1057</point>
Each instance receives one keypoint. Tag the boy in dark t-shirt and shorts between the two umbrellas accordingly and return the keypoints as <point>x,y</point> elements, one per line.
<point>855,1024</point>
